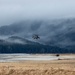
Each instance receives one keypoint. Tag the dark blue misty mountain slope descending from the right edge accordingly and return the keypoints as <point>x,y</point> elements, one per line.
<point>65,35</point>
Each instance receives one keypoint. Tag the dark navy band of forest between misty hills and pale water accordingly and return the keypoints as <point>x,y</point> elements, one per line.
<point>18,48</point>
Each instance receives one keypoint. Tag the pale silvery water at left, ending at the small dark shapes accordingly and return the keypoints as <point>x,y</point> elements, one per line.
<point>24,57</point>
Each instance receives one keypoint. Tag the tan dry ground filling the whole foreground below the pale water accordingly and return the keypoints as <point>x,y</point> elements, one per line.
<point>52,67</point>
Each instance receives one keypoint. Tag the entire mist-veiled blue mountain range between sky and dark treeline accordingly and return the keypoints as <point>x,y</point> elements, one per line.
<point>59,33</point>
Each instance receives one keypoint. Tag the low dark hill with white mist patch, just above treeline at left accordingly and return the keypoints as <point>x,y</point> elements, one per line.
<point>16,40</point>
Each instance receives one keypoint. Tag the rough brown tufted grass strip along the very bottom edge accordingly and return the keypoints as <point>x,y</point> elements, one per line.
<point>36,72</point>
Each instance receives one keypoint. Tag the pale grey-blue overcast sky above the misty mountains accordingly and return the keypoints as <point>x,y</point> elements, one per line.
<point>15,10</point>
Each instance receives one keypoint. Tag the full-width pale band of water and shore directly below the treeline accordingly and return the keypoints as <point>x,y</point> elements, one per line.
<point>35,57</point>
